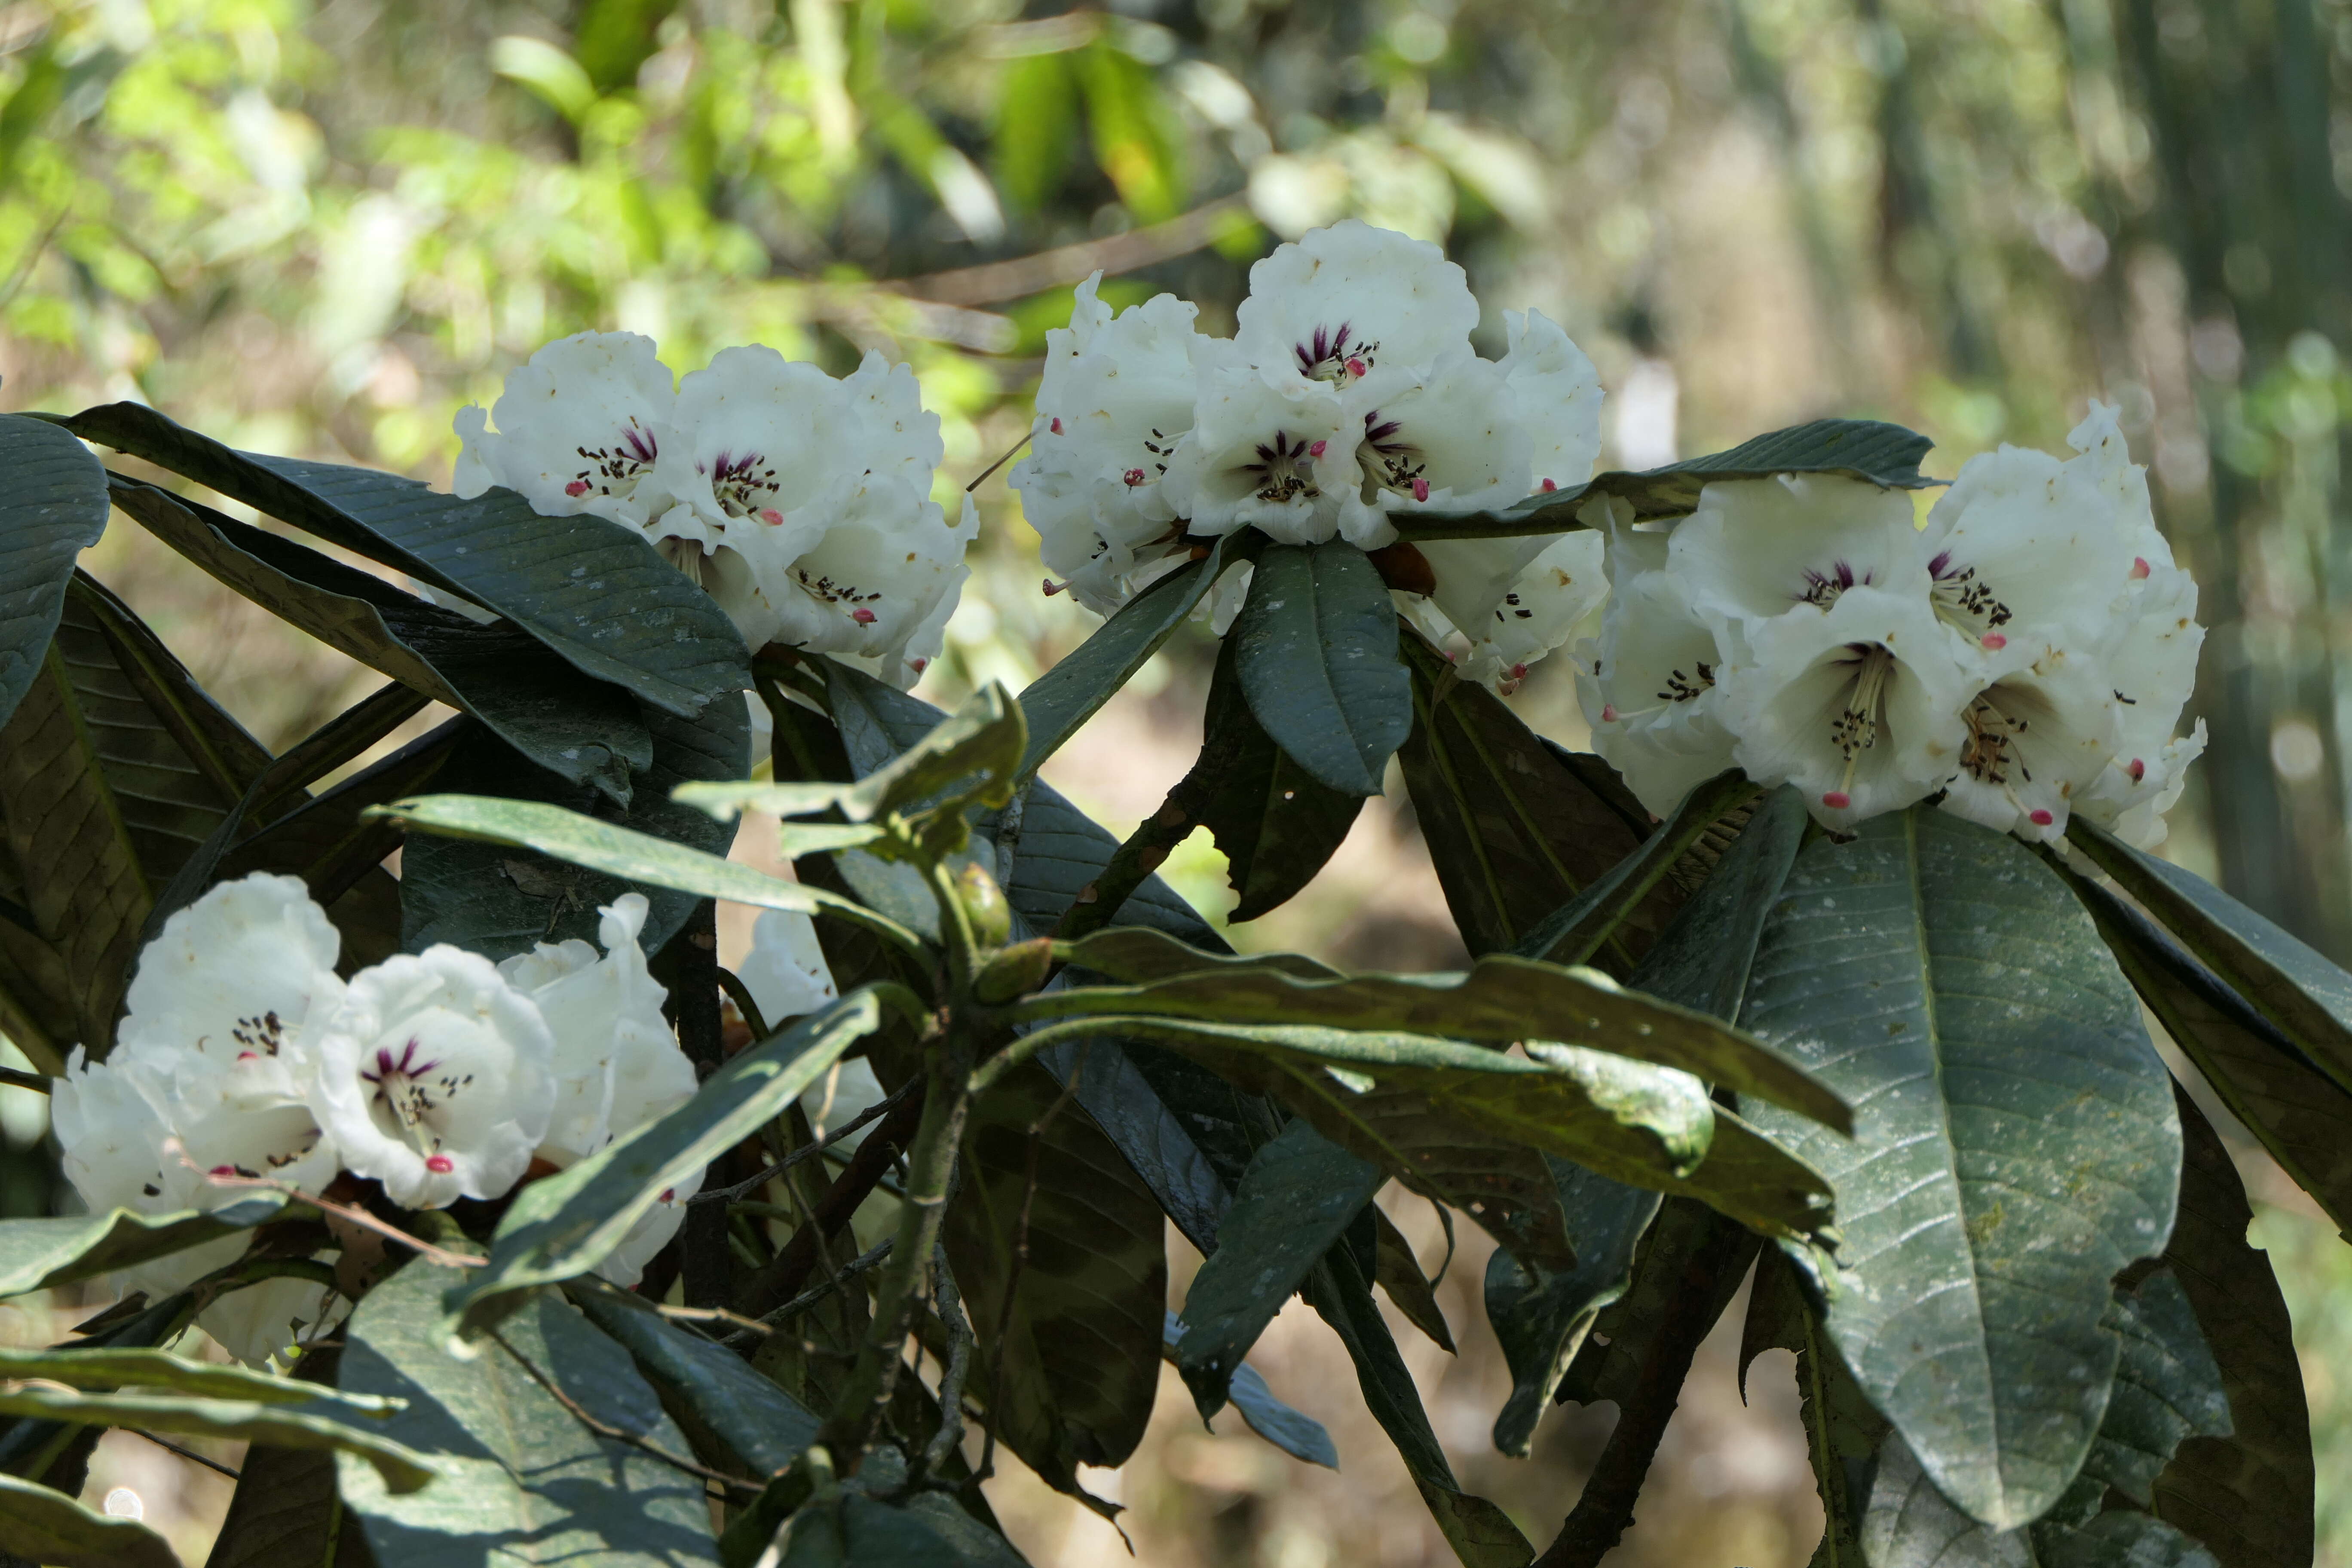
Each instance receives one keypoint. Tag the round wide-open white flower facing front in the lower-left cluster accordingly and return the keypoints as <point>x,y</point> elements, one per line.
<point>434,1078</point>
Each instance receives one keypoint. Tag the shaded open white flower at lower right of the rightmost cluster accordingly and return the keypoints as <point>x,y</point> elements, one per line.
<point>2040,732</point>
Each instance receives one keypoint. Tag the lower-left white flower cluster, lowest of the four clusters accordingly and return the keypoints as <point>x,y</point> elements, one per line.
<point>439,1076</point>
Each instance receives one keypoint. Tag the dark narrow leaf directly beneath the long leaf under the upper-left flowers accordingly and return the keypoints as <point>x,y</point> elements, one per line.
<point>580,730</point>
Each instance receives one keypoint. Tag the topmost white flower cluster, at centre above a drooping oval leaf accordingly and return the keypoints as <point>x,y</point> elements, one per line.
<point>1347,398</point>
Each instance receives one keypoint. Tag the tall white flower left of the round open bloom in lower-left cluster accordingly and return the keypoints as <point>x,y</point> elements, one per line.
<point>222,1021</point>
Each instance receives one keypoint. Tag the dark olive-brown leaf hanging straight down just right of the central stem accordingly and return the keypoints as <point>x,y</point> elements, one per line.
<point>1069,1339</point>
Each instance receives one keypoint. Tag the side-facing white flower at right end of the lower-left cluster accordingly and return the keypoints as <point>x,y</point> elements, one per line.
<point>613,1045</point>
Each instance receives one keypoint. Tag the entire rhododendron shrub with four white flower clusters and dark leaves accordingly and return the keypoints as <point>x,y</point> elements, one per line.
<point>1826,965</point>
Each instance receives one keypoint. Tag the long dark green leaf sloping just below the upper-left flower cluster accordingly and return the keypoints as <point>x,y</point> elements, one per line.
<point>596,594</point>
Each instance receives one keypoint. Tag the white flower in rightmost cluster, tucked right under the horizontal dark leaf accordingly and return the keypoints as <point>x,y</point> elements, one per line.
<point>1758,549</point>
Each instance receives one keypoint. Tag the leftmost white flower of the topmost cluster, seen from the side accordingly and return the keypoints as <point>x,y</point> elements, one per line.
<point>1111,408</point>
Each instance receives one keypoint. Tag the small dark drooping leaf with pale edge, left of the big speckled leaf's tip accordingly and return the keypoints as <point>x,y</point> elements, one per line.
<point>1539,1315</point>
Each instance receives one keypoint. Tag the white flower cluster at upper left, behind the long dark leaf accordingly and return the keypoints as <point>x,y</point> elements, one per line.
<point>801,502</point>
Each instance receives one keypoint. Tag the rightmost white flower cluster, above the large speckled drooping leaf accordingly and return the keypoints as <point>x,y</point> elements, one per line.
<point>2022,657</point>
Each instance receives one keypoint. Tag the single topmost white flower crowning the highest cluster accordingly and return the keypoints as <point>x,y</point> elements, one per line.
<point>1344,302</point>
